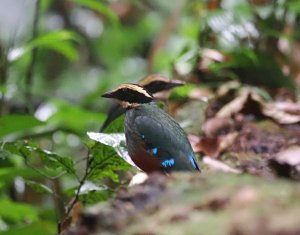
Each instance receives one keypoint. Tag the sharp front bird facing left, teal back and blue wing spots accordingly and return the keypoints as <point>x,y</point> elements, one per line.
<point>155,141</point>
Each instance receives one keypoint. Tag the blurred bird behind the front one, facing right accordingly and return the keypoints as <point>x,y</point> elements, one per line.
<point>156,84</point>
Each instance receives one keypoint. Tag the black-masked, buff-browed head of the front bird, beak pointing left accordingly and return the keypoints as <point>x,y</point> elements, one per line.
<point>129,95</point>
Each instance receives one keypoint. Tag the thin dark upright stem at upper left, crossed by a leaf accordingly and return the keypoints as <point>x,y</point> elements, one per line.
<point>30,69</point>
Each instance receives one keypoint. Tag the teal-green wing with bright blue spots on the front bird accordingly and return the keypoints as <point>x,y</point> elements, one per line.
<point>166,142</point>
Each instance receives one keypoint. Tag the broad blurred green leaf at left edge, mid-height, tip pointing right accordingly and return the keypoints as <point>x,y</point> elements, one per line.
<point>14,123</point>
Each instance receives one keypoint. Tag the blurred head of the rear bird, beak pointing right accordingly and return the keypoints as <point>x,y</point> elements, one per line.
<point>156,83</point>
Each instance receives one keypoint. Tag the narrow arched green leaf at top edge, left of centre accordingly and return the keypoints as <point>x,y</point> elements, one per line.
<point>101,8</point>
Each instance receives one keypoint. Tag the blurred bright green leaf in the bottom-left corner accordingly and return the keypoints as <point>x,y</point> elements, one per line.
<point>17,211</point>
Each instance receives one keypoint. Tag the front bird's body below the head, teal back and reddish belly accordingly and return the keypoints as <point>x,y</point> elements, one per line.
<point>156,142</point>
